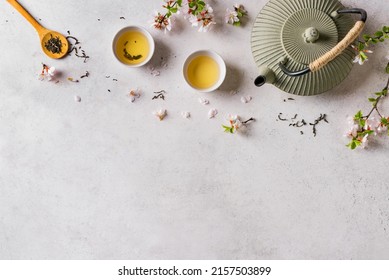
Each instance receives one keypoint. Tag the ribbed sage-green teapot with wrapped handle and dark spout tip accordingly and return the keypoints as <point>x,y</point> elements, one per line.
<point>303,46</point>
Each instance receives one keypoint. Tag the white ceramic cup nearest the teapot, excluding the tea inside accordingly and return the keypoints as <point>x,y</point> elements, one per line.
<point>217,58</point>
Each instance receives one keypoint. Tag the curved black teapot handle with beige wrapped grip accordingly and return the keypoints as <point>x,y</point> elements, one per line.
<point>337,50</point>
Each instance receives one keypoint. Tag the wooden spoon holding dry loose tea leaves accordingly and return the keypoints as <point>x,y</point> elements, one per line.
<point>54,44</point>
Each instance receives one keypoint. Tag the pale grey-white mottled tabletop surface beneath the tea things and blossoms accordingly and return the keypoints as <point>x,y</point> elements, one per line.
<point>104,179</point>
